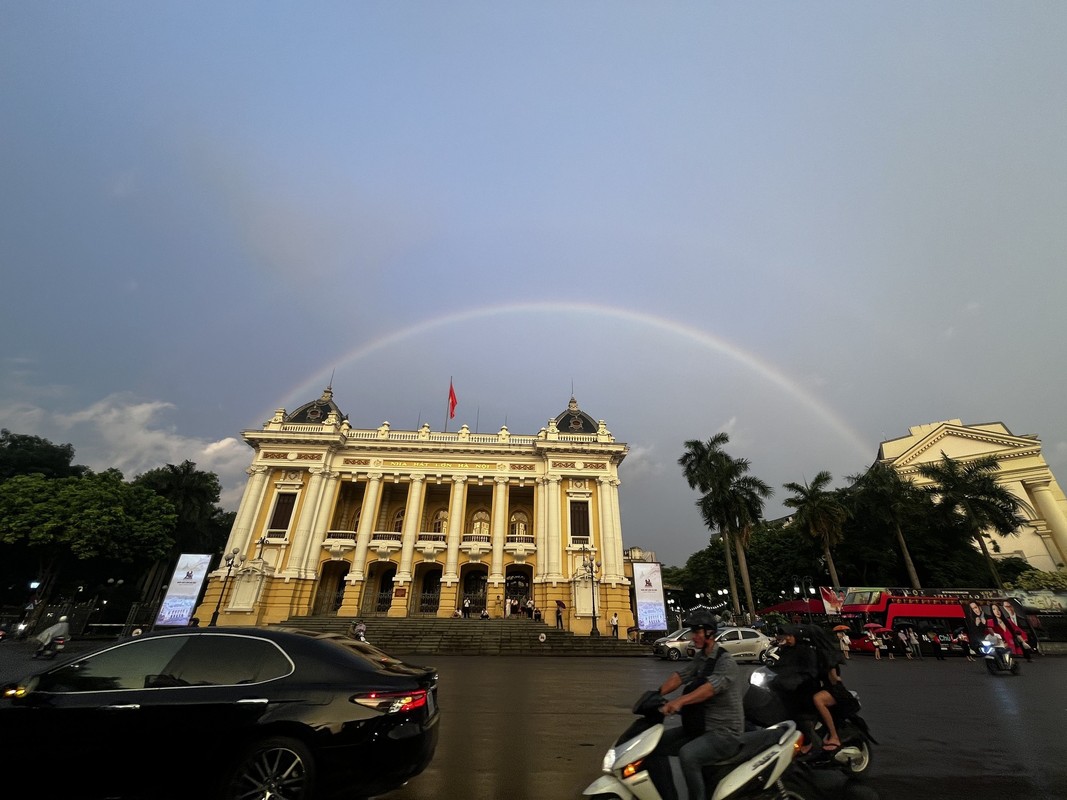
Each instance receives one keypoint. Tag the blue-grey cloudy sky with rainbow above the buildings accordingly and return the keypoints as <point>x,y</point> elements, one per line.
<point>808,226</point>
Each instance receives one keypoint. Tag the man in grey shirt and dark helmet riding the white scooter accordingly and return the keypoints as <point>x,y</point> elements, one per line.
<point>713,717</point>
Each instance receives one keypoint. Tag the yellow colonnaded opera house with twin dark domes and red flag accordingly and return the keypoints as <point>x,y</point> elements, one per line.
<point>380,522</point>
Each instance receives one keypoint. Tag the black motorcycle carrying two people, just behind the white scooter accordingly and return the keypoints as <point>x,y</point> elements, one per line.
<point>765,706</point>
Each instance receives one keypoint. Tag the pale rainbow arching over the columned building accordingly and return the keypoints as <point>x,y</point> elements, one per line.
<point>313,385</point>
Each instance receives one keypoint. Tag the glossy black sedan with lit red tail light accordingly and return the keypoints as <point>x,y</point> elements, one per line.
<point>233,714</point>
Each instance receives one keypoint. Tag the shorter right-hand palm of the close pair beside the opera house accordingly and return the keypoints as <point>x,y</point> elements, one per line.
<point>737,505</point>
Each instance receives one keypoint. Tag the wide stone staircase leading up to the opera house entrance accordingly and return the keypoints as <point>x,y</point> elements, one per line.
<point>512,637</point>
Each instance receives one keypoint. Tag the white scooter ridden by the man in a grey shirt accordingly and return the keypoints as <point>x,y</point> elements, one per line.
<point>758,771</point>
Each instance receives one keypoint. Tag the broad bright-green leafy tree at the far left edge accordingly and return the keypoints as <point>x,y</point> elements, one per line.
<point>98,517</point>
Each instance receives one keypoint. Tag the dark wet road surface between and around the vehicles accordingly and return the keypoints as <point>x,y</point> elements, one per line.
<point>537,728</point>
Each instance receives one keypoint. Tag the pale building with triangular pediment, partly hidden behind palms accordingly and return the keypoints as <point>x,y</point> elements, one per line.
<point>1024,472</point>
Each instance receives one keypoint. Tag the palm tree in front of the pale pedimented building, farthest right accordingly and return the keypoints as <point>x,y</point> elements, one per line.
<point>970,493</point>
